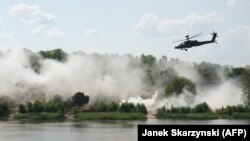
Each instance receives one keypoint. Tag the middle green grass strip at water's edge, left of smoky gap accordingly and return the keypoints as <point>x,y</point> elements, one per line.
<point>109,116</point>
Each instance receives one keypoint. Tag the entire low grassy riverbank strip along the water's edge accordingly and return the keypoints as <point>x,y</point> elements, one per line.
<point>95,116</point>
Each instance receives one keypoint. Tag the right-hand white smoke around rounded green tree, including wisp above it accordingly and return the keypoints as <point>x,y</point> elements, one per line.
<point>227,92</point>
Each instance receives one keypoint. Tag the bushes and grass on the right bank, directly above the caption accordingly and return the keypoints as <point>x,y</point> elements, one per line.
<point>203,111</point>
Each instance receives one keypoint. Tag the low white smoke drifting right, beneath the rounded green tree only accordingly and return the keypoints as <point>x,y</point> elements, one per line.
<point>227,93</point>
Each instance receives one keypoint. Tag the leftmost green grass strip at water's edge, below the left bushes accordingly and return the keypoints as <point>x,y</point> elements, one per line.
<point>39,116</point>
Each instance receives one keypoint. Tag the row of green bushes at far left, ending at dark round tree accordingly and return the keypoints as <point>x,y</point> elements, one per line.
<point>55,105</point>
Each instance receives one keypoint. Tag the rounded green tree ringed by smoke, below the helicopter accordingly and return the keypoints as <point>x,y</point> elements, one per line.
<point>177,85</point>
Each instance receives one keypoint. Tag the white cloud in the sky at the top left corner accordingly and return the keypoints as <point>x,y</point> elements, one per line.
<point>30,14</point>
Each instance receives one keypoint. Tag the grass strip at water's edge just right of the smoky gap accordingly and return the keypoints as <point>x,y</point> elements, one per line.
<point>196,116</point>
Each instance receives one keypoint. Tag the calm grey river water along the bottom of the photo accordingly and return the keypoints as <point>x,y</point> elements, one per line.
<point>87,130</point>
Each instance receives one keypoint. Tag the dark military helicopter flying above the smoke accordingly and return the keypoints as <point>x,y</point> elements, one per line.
<point>192,43</point>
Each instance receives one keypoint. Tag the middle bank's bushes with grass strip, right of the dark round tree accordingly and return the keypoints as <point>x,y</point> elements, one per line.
<point>110,110</point>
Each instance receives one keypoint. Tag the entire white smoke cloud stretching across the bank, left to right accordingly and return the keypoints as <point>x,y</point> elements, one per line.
<point>109,76</point>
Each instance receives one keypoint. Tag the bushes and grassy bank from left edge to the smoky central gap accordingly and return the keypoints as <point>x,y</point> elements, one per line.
<point>57,107</point>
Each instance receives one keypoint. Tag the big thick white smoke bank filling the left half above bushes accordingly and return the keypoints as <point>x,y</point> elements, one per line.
<point>107,76</point>
